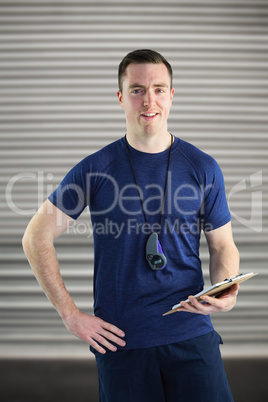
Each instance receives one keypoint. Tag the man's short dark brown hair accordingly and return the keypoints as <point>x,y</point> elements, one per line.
<point>142,56</point>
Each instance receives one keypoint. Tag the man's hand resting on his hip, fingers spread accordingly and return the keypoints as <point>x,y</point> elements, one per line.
<point>94,331</point>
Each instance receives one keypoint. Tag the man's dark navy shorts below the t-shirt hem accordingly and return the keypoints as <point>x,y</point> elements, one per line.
<point>187,371</point>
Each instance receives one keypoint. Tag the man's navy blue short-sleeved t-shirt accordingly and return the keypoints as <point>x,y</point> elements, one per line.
<point>127,292</point>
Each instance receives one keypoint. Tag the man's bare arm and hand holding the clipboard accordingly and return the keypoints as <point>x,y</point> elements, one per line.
<point>224,263</point>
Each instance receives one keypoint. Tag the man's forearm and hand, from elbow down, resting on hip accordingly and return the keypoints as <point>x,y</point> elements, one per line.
<point>44,262</point>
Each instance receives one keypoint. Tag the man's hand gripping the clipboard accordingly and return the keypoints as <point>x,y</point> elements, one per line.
<point>211,305</point>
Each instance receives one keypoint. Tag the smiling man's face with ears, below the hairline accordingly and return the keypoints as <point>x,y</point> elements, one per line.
<point>146,98</point>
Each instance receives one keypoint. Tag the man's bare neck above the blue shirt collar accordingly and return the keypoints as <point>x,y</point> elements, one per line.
<point>150,143</point>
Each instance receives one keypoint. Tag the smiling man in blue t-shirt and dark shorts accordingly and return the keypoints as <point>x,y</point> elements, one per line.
<point>150,196</point>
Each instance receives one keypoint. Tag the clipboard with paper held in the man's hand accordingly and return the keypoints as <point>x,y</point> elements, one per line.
<point>216,289</point>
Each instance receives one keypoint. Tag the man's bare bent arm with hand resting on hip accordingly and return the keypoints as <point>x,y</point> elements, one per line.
<point>38,244</point>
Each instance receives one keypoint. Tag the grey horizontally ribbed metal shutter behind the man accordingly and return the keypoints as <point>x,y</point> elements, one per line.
<point>58,68</point>
